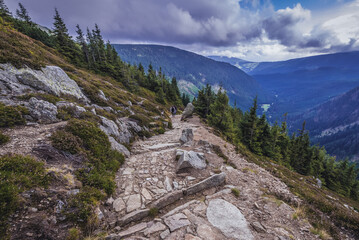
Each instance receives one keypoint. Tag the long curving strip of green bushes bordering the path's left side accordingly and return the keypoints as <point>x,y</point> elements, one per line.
<point>98,176</point>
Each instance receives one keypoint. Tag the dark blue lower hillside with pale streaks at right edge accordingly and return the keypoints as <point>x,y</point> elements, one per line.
<point>334,125</point>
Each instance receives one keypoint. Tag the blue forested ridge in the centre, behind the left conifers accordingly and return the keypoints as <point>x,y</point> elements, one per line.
<point>194,71</point>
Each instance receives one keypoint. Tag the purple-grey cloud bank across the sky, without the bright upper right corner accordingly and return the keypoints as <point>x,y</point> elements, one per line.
<point>212,23</point>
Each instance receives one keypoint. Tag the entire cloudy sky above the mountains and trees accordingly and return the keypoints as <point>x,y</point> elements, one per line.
<point>256,30</point>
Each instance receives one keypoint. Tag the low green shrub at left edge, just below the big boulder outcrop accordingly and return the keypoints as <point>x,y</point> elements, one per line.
<point>12,115</point>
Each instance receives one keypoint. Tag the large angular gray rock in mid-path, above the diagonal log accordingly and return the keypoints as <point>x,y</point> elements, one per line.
<point>191,159</point>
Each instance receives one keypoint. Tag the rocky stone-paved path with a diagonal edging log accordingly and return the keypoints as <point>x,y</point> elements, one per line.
<point>244,207</point>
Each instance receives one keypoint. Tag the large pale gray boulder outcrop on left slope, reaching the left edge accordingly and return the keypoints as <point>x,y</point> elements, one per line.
<point>50,79</point>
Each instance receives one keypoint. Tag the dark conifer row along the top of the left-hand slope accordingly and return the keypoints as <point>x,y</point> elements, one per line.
<point>89,50</point>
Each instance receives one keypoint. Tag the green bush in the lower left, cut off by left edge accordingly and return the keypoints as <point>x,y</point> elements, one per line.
<point>17,174</point>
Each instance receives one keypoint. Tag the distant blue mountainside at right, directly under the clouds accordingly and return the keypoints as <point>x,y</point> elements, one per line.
<point>302,83</point>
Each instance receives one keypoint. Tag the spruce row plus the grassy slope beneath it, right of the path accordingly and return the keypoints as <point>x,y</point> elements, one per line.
<point>290,158</point>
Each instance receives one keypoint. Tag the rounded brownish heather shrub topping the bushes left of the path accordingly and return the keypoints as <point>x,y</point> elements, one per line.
<point>66,141</point>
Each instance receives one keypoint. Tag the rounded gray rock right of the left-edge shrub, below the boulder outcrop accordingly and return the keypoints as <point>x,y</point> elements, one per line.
<point>42,111</point>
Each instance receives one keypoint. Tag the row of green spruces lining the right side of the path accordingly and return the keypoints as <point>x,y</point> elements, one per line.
<point>274,141</point>
